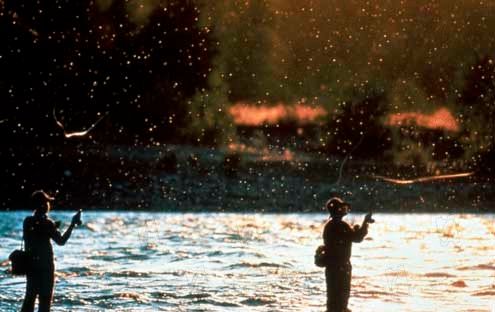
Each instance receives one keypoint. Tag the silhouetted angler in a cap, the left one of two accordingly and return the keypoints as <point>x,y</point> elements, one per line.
<point>38,230</point>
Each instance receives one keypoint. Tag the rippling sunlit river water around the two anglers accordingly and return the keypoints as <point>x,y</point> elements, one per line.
<point>126,261</point>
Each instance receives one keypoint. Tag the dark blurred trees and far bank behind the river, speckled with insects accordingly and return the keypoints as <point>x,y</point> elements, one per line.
<point>248,105</point>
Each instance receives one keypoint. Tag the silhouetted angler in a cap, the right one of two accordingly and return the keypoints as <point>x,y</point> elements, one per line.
<point>338,237</point>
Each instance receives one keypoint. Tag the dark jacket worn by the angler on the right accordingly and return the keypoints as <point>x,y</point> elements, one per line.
<point>338,237</point>
